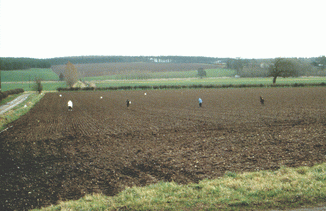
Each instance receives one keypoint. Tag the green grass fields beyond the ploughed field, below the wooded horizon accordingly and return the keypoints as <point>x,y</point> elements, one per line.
<point>25,79</point>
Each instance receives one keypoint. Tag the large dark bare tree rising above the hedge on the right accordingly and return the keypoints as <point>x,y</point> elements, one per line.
<point>282,67</point>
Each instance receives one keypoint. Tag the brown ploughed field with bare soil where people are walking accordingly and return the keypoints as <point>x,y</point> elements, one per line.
<point>52,154</point>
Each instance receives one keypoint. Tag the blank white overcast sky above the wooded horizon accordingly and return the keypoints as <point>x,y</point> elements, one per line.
<point>213,28</point>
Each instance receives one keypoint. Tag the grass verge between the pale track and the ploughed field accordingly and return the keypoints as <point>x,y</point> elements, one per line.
<point>19,110</point>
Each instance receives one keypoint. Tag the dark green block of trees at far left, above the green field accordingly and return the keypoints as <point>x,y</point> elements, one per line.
<point>8,63</point>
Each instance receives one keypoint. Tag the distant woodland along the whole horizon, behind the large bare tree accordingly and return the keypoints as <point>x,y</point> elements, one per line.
<point>244,67</point>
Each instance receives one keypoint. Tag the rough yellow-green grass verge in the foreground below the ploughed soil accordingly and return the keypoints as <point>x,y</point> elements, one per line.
<point>284,188</point>
